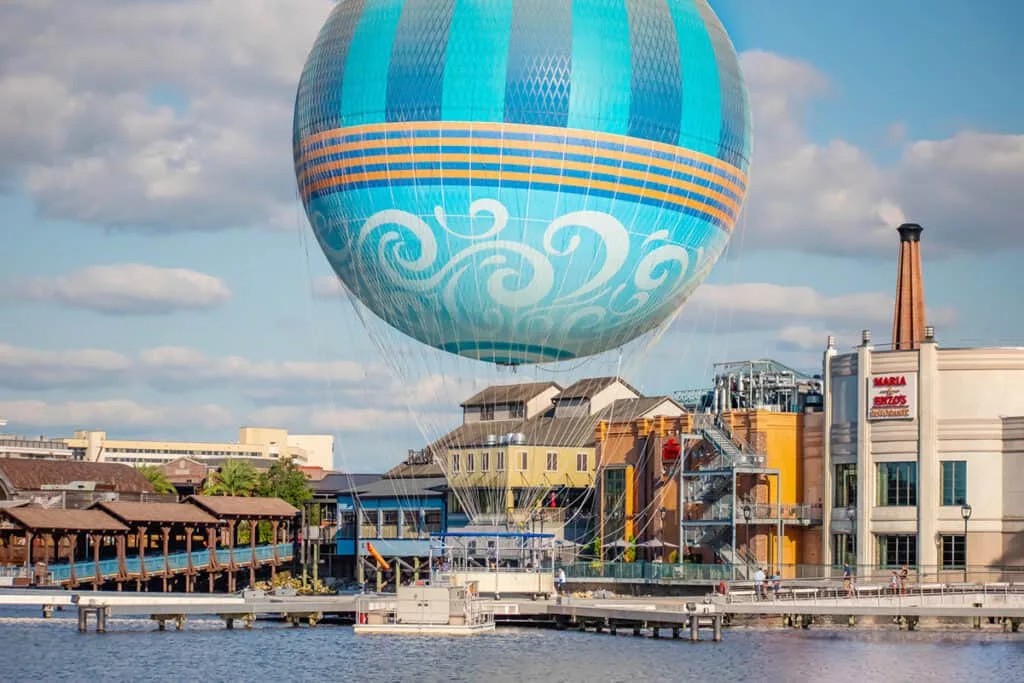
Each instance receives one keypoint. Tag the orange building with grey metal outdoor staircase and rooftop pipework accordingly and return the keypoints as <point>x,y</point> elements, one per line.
<point>739,454</point>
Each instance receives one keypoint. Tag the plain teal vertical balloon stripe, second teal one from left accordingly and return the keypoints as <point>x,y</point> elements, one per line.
<point>478,61</point>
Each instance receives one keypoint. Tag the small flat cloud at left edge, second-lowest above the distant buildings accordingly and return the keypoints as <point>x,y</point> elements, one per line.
<point>27,369</point>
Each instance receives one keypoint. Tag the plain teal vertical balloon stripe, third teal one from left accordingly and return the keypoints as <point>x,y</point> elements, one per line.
<point>603,68</point>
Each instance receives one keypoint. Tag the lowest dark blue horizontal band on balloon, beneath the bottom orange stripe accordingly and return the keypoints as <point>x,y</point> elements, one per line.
<point>536,186</point>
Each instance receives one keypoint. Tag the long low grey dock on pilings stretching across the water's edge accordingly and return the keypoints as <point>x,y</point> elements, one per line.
<point>969,605</point>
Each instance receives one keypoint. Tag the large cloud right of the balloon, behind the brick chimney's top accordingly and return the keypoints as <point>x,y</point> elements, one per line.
<point>834,198</point>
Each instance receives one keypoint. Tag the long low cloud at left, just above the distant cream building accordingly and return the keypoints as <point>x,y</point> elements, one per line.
<point>116,414</point>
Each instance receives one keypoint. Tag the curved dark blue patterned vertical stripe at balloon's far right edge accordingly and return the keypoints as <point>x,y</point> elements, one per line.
<point>734,143</point>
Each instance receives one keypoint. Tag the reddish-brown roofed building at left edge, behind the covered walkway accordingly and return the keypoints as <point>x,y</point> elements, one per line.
<point>71,485</point>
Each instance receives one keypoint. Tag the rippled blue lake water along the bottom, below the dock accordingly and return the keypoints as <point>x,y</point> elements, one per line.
<point>37,650</point>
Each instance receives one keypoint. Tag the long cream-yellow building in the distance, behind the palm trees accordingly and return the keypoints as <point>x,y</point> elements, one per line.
<point>260,446</point>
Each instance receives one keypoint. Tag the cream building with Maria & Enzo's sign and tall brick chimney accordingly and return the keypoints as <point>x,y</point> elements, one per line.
<point>923,447</point>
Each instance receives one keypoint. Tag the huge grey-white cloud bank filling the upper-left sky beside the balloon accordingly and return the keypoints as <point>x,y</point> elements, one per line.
<point>86,132</point>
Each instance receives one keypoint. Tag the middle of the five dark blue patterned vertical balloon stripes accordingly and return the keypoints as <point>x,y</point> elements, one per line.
<point>540,63</point>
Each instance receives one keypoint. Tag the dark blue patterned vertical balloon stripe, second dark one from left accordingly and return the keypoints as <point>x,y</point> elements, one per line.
<point>416,79</point>
